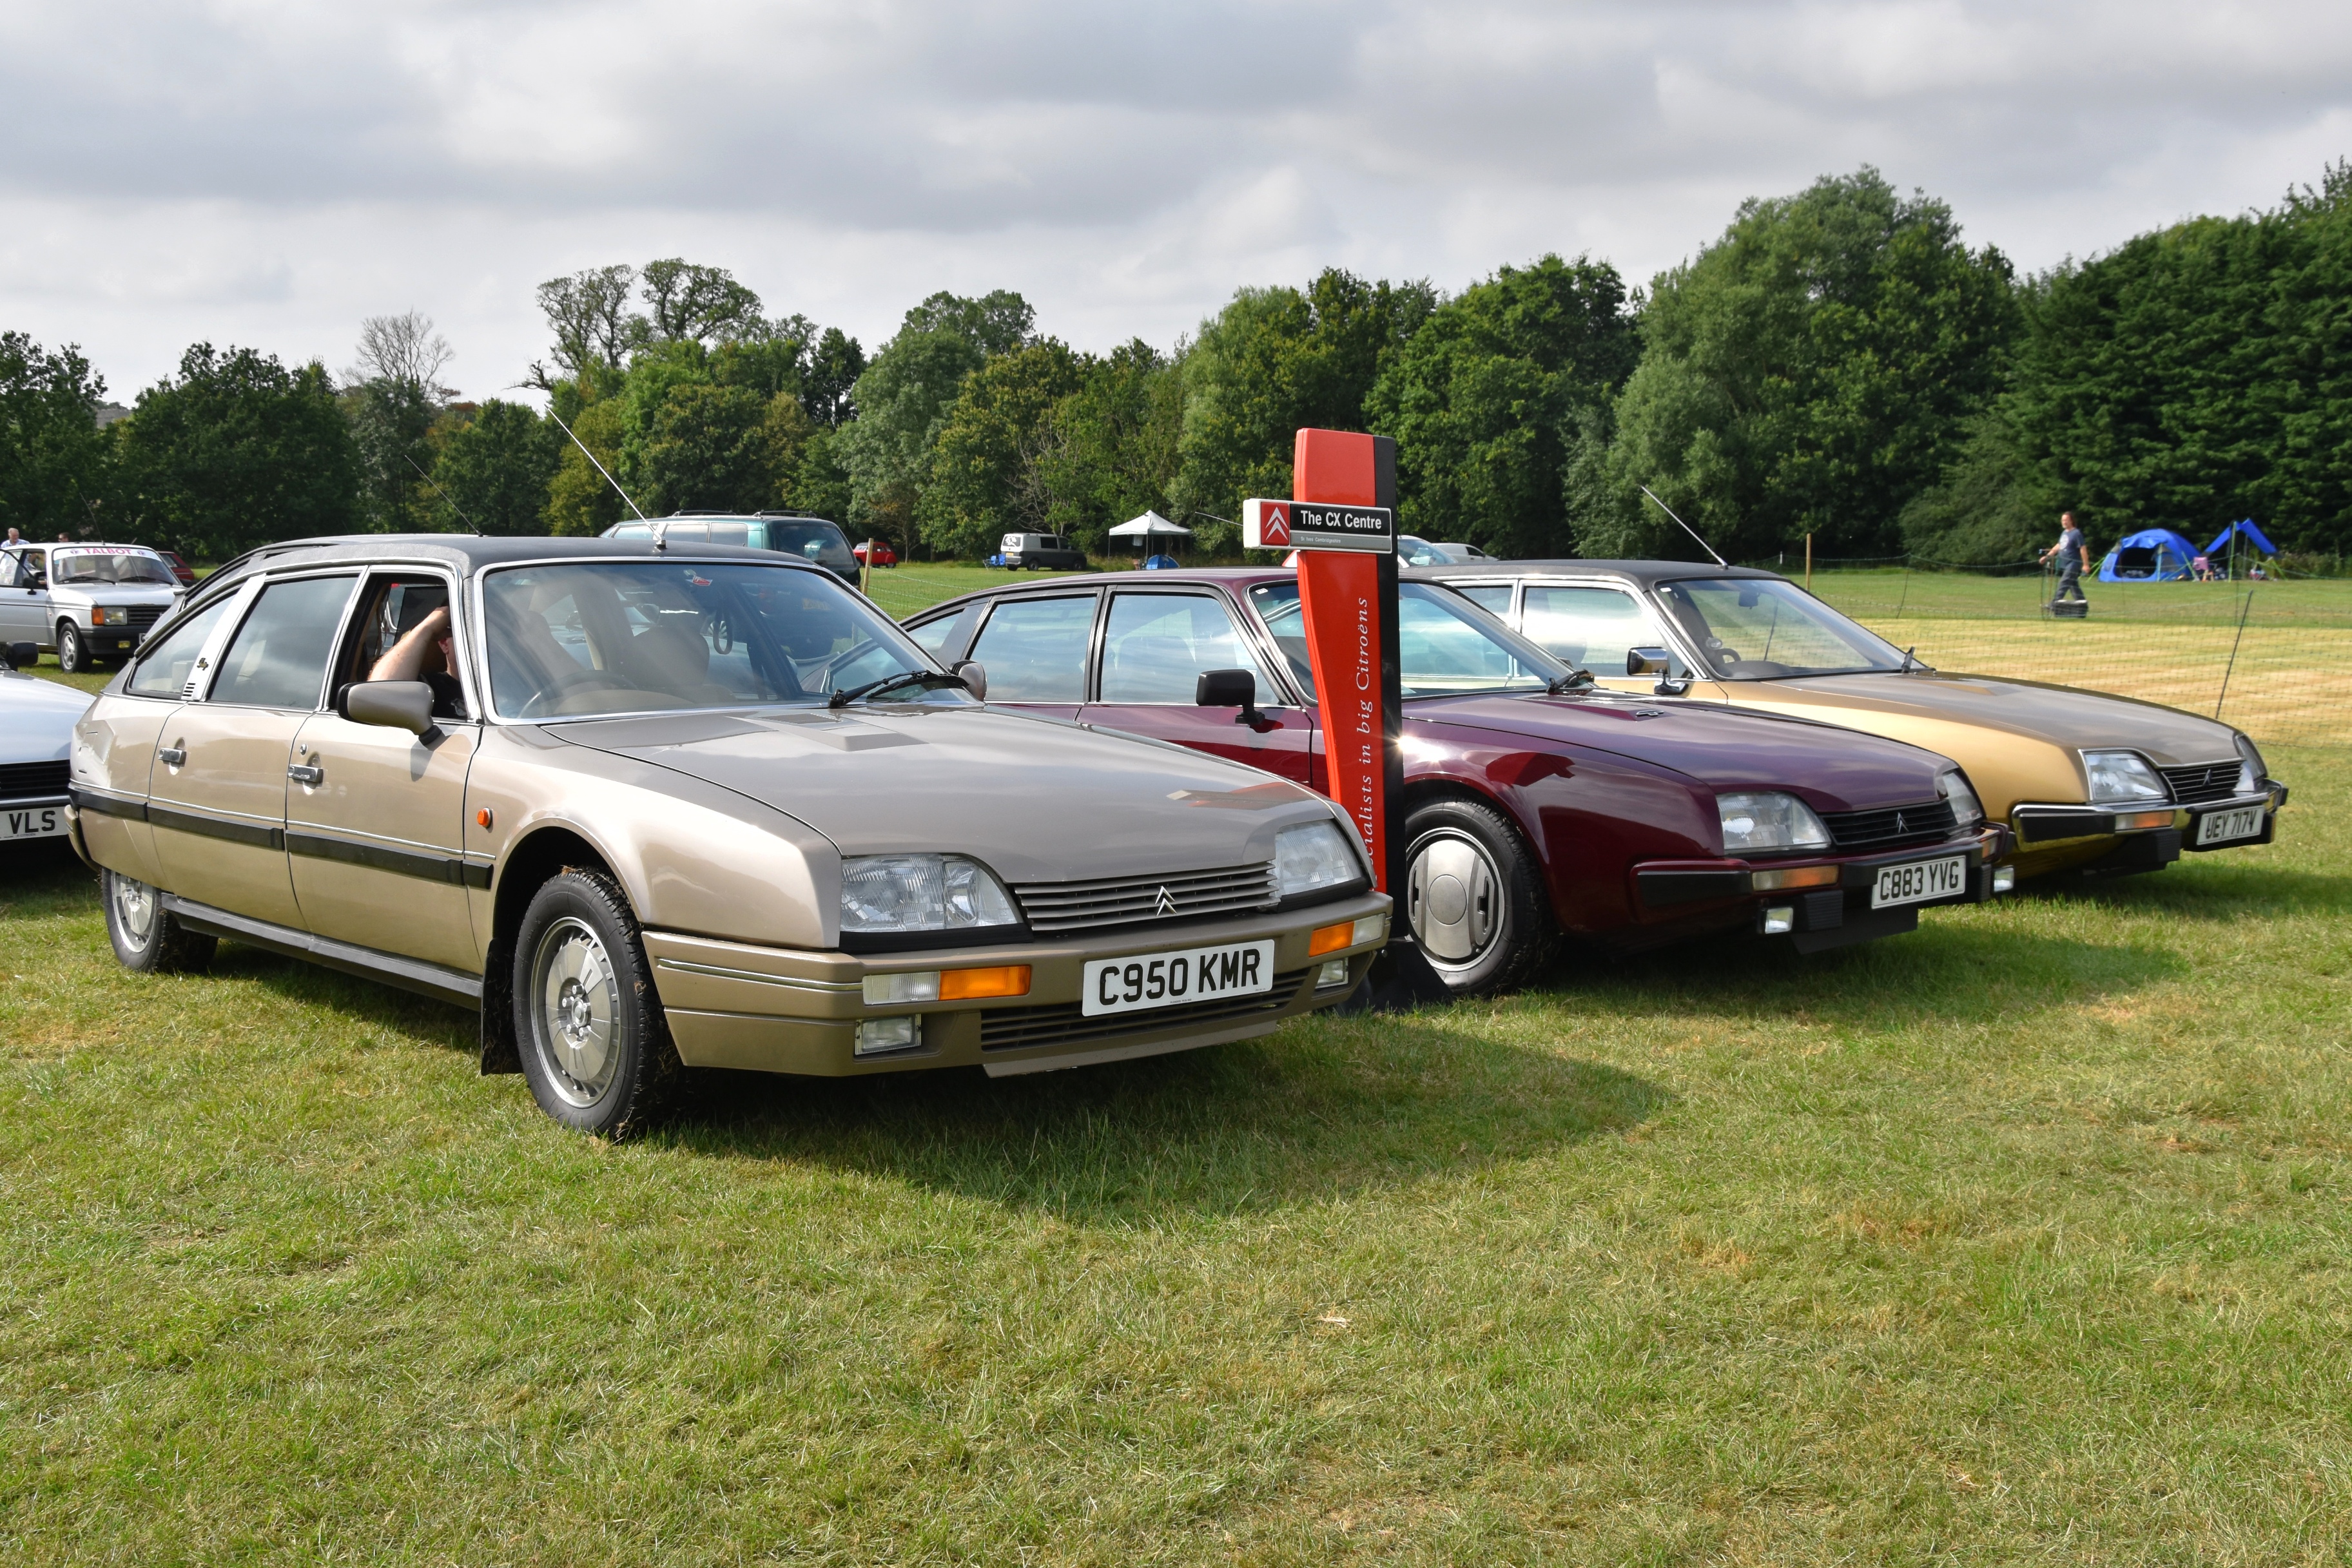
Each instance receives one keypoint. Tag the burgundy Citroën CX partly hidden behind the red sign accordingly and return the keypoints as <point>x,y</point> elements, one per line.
<point>1539,810</point>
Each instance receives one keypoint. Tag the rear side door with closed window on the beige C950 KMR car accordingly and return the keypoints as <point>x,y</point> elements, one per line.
<point>218,798</point>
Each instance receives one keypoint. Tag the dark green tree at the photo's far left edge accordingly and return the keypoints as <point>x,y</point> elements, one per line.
<point>53,455</point>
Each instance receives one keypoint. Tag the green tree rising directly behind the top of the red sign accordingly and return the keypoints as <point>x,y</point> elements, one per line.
<point>1276,361</point>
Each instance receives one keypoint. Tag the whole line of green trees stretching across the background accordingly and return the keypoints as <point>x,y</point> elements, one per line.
<point>1836,366</point>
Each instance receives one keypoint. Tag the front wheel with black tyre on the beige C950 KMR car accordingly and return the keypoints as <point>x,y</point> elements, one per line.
<point>589,1026</point>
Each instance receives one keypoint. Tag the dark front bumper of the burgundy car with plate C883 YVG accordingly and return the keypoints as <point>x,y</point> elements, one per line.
<point>1819,916</point>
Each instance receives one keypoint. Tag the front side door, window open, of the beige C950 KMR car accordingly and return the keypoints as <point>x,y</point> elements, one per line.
<point>375,815</point>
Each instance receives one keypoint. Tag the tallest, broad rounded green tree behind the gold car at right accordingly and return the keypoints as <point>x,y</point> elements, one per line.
<point>1810,373</point>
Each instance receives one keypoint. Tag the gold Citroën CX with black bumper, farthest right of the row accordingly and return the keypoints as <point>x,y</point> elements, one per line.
<point>2092,784</point>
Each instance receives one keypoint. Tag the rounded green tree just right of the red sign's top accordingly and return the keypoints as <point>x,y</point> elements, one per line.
<point>1488,403</point>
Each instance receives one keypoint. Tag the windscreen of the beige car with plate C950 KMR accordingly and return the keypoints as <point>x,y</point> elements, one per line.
<point>601,638</point>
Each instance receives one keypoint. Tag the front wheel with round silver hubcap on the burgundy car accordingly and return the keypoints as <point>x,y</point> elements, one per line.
<point>1474,897</point>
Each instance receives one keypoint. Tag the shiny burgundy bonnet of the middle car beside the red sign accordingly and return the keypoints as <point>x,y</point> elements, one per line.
<point>1836,770</point>
